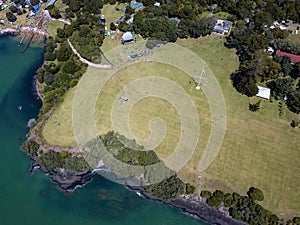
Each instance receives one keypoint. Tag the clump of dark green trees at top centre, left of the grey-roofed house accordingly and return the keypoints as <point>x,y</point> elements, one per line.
<point>174,19</point>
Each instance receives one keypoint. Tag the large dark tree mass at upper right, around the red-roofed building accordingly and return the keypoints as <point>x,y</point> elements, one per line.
<point>252,38</point>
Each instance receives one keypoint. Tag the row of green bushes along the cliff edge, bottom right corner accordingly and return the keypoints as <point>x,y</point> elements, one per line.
<point>246,208</point>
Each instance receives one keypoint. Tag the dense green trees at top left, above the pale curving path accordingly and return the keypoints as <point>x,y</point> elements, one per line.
<point>85,31</point>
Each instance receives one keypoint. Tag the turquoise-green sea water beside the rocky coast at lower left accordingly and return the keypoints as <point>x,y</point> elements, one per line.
<point>33,199</point>
